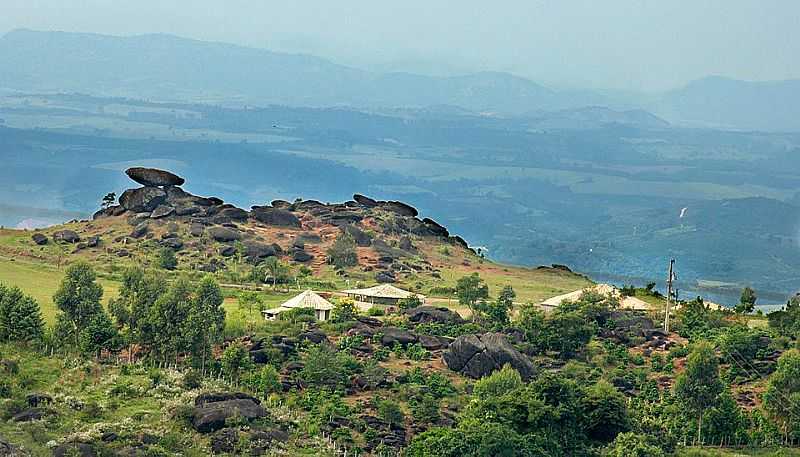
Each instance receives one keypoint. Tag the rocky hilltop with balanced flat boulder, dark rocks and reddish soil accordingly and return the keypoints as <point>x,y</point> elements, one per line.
<point>211,231</point>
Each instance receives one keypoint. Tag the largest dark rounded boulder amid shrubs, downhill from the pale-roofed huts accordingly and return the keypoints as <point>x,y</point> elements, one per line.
<point>477,356</point>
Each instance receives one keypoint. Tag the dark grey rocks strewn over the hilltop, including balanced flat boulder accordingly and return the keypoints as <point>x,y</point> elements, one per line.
<point>162,198</point>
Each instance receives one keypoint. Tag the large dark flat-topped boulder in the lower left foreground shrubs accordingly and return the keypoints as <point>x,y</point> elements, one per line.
<point>211,410</point>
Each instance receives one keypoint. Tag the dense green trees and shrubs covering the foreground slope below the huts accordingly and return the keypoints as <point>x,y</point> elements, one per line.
<point>125,378</point>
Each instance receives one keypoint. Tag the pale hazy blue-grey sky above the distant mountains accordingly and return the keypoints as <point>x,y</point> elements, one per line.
<point>624,44</point>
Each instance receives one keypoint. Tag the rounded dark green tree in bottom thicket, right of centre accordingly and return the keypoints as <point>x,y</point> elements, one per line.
<point>606,412</point>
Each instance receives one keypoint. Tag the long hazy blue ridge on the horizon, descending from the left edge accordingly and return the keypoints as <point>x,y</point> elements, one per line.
<point>167,67</point>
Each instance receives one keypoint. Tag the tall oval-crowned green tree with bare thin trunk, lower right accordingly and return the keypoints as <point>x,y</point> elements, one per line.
<point>698,387</point>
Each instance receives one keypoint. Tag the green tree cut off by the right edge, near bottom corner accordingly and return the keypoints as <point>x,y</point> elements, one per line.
<point>782,396</point>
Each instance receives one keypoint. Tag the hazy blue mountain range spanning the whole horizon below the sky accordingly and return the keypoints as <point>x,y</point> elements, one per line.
<point>164,67</point>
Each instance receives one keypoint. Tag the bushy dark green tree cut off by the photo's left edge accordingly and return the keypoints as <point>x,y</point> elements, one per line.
<point>20,316</point>
